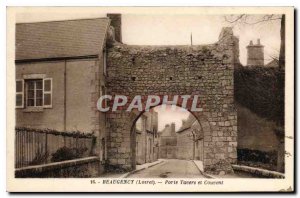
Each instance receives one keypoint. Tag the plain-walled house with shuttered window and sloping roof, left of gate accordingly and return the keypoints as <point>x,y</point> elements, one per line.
<point>60,74</point>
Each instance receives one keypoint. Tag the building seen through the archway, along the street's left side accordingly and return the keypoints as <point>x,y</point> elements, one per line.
<point>146,135</point>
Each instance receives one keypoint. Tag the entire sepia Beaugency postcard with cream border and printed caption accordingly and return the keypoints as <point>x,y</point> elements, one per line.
<point>137,99</point>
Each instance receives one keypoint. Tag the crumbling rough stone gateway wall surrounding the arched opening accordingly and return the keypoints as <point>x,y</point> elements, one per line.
<point>205,70</point>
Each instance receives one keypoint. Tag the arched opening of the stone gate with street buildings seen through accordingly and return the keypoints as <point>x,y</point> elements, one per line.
<point>166,132</point>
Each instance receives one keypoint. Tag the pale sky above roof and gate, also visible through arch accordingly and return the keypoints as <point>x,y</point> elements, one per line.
<point>172,29</point>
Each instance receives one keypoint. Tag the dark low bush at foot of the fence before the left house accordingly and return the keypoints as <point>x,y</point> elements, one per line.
<point>66,153</point>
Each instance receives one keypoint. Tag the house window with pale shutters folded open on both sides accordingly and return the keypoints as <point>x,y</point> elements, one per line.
<point>38,93</point>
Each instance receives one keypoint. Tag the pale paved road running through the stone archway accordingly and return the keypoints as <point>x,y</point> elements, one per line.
<point>172,168</point>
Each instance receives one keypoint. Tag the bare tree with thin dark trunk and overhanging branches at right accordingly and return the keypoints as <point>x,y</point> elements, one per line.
<point>245,19</point>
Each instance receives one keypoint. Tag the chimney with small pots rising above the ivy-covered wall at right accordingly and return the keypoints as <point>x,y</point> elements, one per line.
<point>255,54</point>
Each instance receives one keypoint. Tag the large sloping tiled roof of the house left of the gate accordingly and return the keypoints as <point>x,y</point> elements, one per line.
<point>59,39</point>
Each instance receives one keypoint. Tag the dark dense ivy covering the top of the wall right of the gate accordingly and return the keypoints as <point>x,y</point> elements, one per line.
<point>261,90</point>
